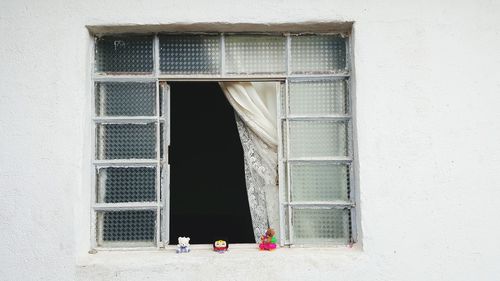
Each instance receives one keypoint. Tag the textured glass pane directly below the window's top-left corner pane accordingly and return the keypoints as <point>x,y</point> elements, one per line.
<point>125,99</point>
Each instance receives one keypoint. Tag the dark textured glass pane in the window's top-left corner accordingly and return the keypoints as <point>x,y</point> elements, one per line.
<point>121,55</point>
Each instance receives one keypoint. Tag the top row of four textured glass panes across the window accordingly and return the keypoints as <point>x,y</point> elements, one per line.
<point>221,54</point>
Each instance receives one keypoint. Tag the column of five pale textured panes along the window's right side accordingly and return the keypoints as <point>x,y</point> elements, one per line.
<point>316,129</point>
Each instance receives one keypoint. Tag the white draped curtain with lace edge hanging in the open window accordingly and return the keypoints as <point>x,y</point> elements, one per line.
<point>256,119</point>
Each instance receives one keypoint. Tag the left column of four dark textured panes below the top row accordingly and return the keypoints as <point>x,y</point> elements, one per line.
<point>128,149</point>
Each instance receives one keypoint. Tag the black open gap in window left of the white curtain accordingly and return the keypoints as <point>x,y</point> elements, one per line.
<point>208,198</point>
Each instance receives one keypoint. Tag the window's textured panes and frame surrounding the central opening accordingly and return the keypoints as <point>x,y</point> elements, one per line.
<point>132,129</point>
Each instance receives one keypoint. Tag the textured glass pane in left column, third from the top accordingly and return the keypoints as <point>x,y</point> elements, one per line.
<point>126,141</point>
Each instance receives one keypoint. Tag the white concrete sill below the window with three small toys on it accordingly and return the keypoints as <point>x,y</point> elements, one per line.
<point>241,262</point>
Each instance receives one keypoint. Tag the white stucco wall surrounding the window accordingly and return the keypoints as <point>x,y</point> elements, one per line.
<point>427,99</point>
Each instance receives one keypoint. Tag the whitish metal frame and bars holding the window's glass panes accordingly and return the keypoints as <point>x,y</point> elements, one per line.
<point>161,80</point>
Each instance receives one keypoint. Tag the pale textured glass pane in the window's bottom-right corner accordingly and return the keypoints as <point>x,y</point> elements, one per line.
<point>321,226</point>
